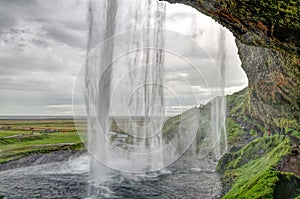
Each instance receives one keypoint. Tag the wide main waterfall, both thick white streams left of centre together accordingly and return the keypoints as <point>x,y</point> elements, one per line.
<point>142,70</point>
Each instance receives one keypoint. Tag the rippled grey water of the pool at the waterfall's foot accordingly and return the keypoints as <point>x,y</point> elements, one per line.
<point>188,177</point>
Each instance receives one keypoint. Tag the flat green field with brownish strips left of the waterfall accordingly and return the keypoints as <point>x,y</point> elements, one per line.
<point>19,138</point>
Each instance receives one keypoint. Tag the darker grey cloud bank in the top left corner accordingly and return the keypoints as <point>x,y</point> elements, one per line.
<point>63,21</point>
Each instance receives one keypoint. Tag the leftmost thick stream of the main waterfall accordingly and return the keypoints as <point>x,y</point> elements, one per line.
<point>98,79</point>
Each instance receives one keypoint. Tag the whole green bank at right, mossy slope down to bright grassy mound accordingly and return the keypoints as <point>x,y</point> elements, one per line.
<point>258,166</point>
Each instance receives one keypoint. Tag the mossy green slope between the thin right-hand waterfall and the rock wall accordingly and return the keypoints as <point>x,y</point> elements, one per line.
<point>243,127</point>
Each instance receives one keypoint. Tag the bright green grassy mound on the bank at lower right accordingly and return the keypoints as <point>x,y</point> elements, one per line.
<point>251,171</point>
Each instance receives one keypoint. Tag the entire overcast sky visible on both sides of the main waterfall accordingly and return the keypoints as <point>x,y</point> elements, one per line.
<point>43,46</point>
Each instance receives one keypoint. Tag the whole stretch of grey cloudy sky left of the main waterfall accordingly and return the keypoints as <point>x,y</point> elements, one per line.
<point>42,46</point>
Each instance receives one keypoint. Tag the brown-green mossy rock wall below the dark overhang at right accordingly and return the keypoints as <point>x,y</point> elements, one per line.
<point>274,96</point>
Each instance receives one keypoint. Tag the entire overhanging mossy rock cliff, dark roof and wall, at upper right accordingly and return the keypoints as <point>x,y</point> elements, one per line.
<point>268,39</point>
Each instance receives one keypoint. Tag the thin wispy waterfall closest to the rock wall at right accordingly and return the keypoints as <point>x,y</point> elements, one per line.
<point>212,137</point>
